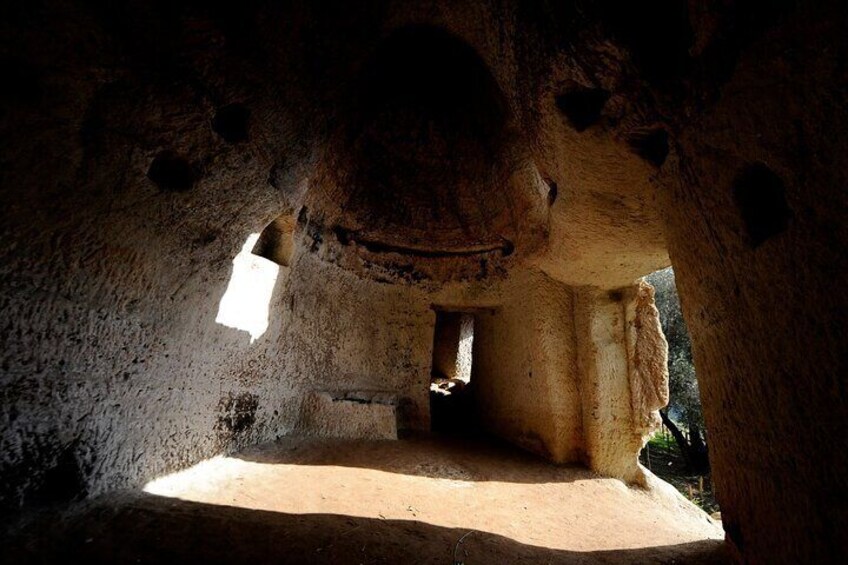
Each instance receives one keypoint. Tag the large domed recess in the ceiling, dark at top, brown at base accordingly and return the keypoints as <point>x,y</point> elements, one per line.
<point>426,162</point>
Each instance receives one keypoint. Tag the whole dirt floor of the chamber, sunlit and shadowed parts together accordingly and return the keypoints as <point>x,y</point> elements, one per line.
<point>420,500</point>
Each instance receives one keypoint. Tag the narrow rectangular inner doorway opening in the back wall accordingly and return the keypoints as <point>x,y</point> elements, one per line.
<point>451,390</point>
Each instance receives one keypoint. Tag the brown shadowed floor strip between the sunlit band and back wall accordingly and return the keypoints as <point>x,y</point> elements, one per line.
<point>473,458</point>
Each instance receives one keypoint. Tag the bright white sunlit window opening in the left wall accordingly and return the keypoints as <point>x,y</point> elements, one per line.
<point>245,304</point>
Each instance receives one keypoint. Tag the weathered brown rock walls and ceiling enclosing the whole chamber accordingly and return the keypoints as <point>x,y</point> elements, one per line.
<point>525,162</point>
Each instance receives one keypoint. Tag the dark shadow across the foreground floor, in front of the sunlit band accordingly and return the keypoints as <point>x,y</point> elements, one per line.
<point>142,528</point>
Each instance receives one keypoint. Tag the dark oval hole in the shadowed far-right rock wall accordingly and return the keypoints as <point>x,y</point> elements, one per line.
<point>761,197</point>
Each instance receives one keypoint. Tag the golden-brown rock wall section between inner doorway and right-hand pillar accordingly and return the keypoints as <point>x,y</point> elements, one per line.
<point>524,373</point>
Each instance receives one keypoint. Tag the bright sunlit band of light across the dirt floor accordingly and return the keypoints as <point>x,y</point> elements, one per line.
<point>579,512</point>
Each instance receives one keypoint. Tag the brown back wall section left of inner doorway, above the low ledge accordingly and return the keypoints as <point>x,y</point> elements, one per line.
<point>345,334</point>
